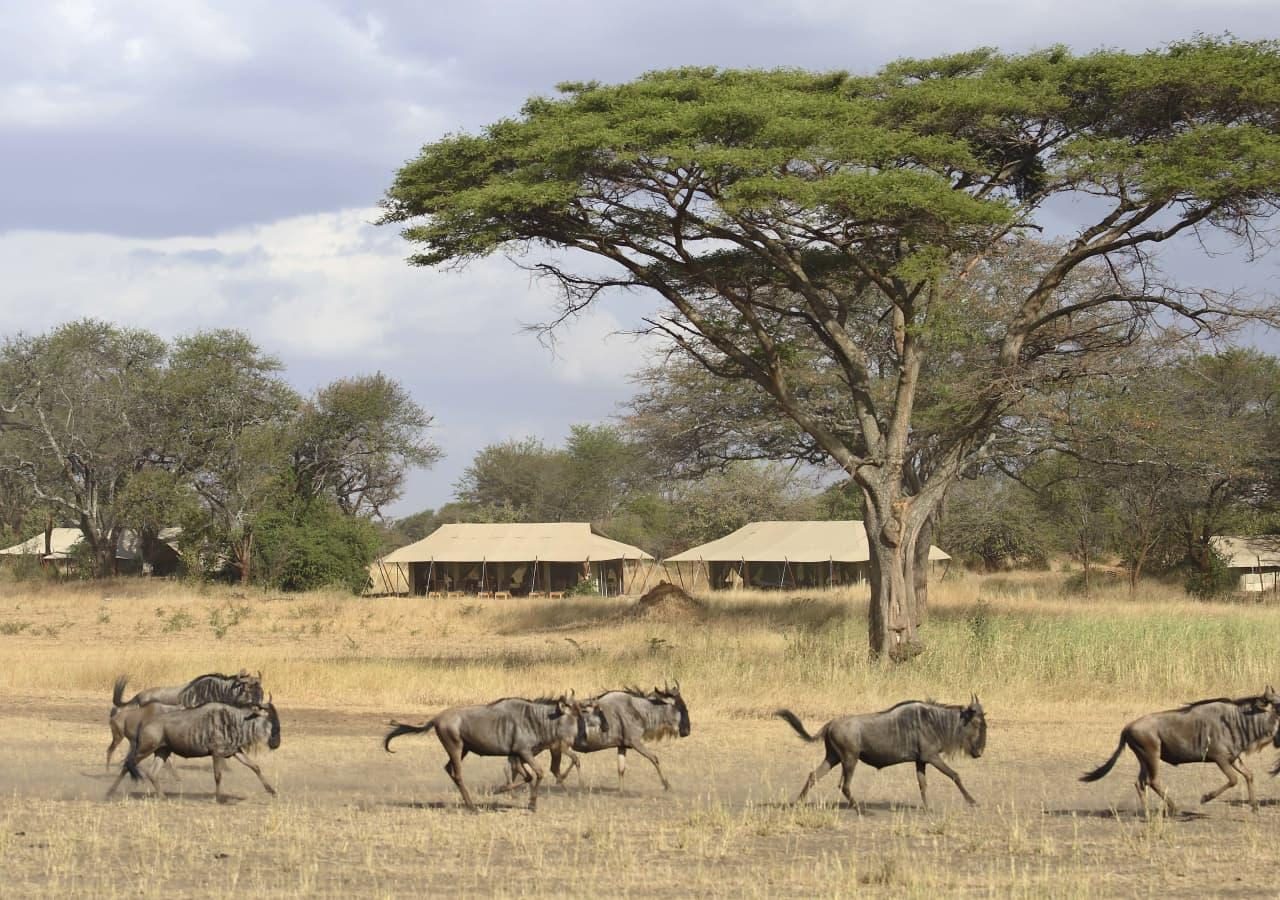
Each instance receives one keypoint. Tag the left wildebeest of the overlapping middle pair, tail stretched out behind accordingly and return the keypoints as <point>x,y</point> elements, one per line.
<point>511,728</point>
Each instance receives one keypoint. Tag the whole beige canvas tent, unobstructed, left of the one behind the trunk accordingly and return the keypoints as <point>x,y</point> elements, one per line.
<point>518,560</point>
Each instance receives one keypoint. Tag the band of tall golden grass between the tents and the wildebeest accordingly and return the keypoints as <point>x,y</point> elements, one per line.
<point>1012,639</point>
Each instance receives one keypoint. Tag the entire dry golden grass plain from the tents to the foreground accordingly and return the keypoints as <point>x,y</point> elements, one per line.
<point>1059,675</point>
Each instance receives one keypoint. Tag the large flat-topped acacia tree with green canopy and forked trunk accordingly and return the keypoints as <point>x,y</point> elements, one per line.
<point>856,209</point>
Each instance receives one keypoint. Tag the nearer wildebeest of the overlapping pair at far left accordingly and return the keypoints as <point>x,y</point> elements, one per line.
<point>213,730</point>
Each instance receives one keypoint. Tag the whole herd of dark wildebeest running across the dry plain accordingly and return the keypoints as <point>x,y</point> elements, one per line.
<point>225,716</point>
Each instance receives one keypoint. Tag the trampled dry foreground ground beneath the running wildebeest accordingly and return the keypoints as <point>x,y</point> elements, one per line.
<point>351,820</point>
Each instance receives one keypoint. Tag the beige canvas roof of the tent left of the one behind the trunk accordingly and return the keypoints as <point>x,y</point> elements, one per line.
<point>547,542</point>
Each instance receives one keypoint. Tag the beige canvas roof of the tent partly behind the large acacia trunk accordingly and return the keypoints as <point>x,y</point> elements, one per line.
<point>794,542</point>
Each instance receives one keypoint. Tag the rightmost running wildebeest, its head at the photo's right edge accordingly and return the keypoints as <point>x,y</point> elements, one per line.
<point>1208,732</point>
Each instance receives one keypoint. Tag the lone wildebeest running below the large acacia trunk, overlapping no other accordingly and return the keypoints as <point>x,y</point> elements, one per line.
<point>912,732</point>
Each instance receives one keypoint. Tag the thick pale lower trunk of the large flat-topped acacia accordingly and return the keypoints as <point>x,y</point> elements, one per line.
<point>892,618</point>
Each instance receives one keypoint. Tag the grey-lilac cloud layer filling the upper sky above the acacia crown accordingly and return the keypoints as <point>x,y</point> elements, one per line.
<point>259,113</point>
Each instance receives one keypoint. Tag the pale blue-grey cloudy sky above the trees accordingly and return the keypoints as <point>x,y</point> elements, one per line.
<point>182,166</point>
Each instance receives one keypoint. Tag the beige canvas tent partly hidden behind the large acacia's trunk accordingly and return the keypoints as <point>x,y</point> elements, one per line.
<point>780,555</point>
